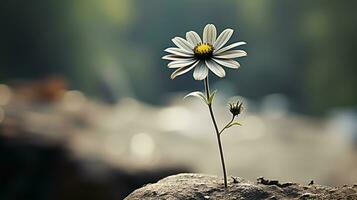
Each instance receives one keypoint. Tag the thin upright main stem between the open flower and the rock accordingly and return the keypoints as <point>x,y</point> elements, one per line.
<point>217,131</point>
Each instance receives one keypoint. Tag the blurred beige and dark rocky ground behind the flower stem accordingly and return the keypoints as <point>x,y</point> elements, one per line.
<point>75,147</point>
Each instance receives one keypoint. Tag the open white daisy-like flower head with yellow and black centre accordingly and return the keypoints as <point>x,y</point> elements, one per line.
<point>193,53</point>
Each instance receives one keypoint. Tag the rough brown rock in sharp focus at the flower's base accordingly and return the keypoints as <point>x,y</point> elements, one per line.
<point>200,186</point>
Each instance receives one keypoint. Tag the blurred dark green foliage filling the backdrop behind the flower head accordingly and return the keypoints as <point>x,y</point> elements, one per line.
<point>112,48</point>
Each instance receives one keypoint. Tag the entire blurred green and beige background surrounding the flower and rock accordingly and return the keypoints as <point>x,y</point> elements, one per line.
<point>88,111</point>
